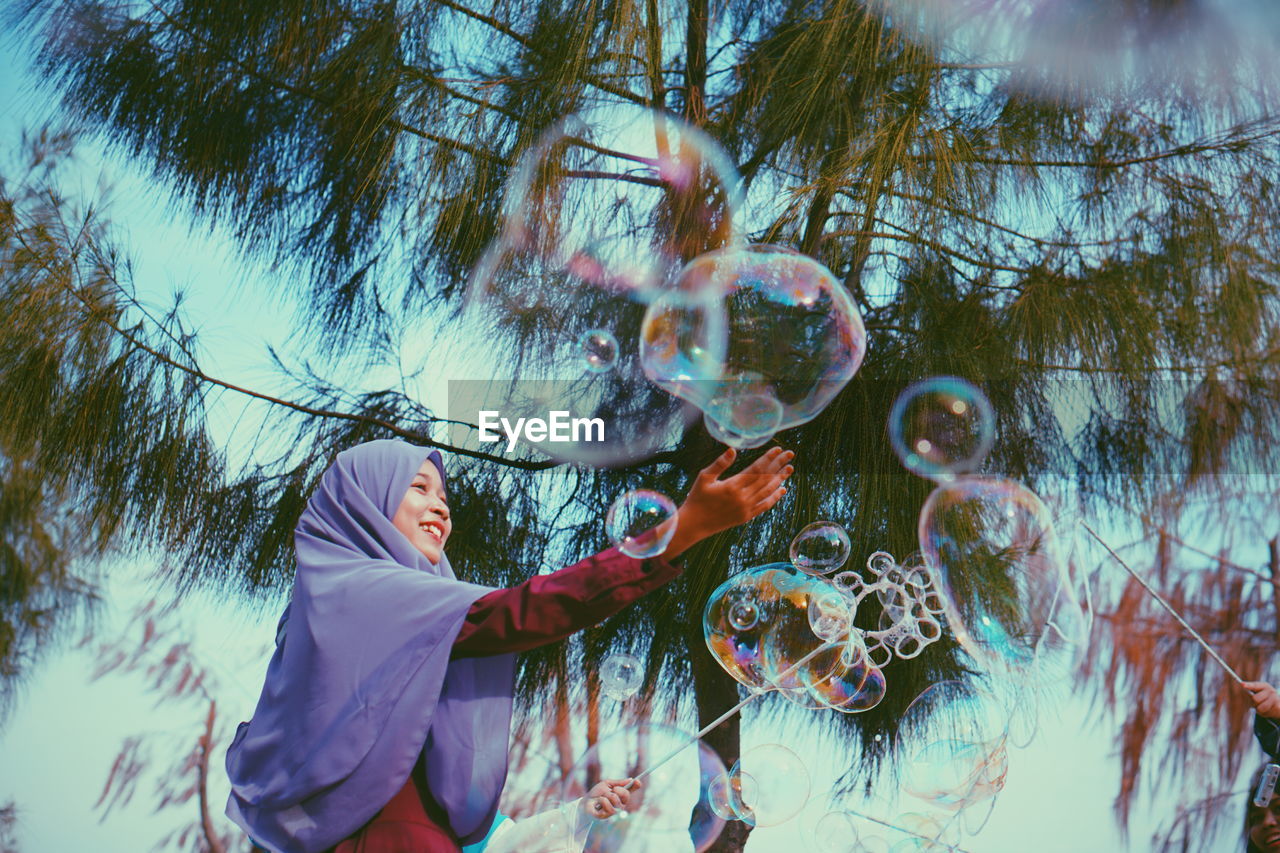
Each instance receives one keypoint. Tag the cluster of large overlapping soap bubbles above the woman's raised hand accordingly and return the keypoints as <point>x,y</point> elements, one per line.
<point>753,339</point>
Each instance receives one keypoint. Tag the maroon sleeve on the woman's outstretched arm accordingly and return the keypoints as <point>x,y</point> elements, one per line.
<point>551,608</point>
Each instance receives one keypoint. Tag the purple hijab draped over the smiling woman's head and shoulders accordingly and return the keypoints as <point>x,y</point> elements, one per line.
<point>362,682</point>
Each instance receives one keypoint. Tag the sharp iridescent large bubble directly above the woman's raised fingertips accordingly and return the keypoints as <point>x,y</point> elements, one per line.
<point>792,334</point>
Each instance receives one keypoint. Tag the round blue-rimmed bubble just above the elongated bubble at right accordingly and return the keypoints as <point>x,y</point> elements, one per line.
<point>943,428</point>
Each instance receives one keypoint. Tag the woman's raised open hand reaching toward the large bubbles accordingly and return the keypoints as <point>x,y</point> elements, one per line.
<point>716,505</point>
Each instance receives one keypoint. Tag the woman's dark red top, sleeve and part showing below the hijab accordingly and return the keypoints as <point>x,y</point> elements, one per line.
<point>540,612</point>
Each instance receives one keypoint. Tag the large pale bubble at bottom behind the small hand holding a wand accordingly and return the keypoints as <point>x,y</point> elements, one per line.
<point>671,809</point>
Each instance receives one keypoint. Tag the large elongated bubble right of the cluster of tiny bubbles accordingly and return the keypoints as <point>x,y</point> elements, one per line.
<point>1005,589</point>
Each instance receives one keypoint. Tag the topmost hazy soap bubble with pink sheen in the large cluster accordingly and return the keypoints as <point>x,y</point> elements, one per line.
<point>618,199</point>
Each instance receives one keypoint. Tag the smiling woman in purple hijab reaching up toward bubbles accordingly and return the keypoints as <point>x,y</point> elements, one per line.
<point>383,717</point>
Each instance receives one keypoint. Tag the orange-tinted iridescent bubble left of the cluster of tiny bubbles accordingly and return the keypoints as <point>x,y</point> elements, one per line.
<point>766,654</point>
